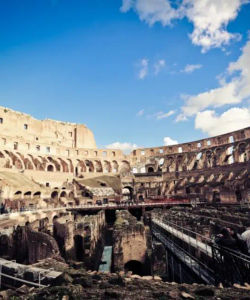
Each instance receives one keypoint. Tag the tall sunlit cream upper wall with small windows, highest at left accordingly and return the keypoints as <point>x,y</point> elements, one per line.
<point>24,128</point>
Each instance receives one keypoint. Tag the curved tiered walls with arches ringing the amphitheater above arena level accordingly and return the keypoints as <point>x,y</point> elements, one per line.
<point>41,159</point>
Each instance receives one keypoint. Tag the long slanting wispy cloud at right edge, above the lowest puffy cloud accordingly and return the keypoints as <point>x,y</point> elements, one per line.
<point>231,91</point>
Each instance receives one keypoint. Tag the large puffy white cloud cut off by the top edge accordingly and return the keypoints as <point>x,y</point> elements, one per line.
<point>209,17</point>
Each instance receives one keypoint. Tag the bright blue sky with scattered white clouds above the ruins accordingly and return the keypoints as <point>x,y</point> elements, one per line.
<point>133,71</point>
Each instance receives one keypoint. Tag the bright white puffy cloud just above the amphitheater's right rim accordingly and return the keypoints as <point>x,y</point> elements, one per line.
<point>231,120</point>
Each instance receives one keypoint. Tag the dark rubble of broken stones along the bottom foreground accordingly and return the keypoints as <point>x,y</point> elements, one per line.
<point>82,284</point>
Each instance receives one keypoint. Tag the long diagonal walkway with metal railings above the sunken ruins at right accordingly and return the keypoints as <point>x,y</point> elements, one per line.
<point>225,265</point>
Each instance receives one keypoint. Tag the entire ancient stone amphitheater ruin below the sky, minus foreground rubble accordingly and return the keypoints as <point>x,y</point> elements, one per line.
<point>155,213</point>
